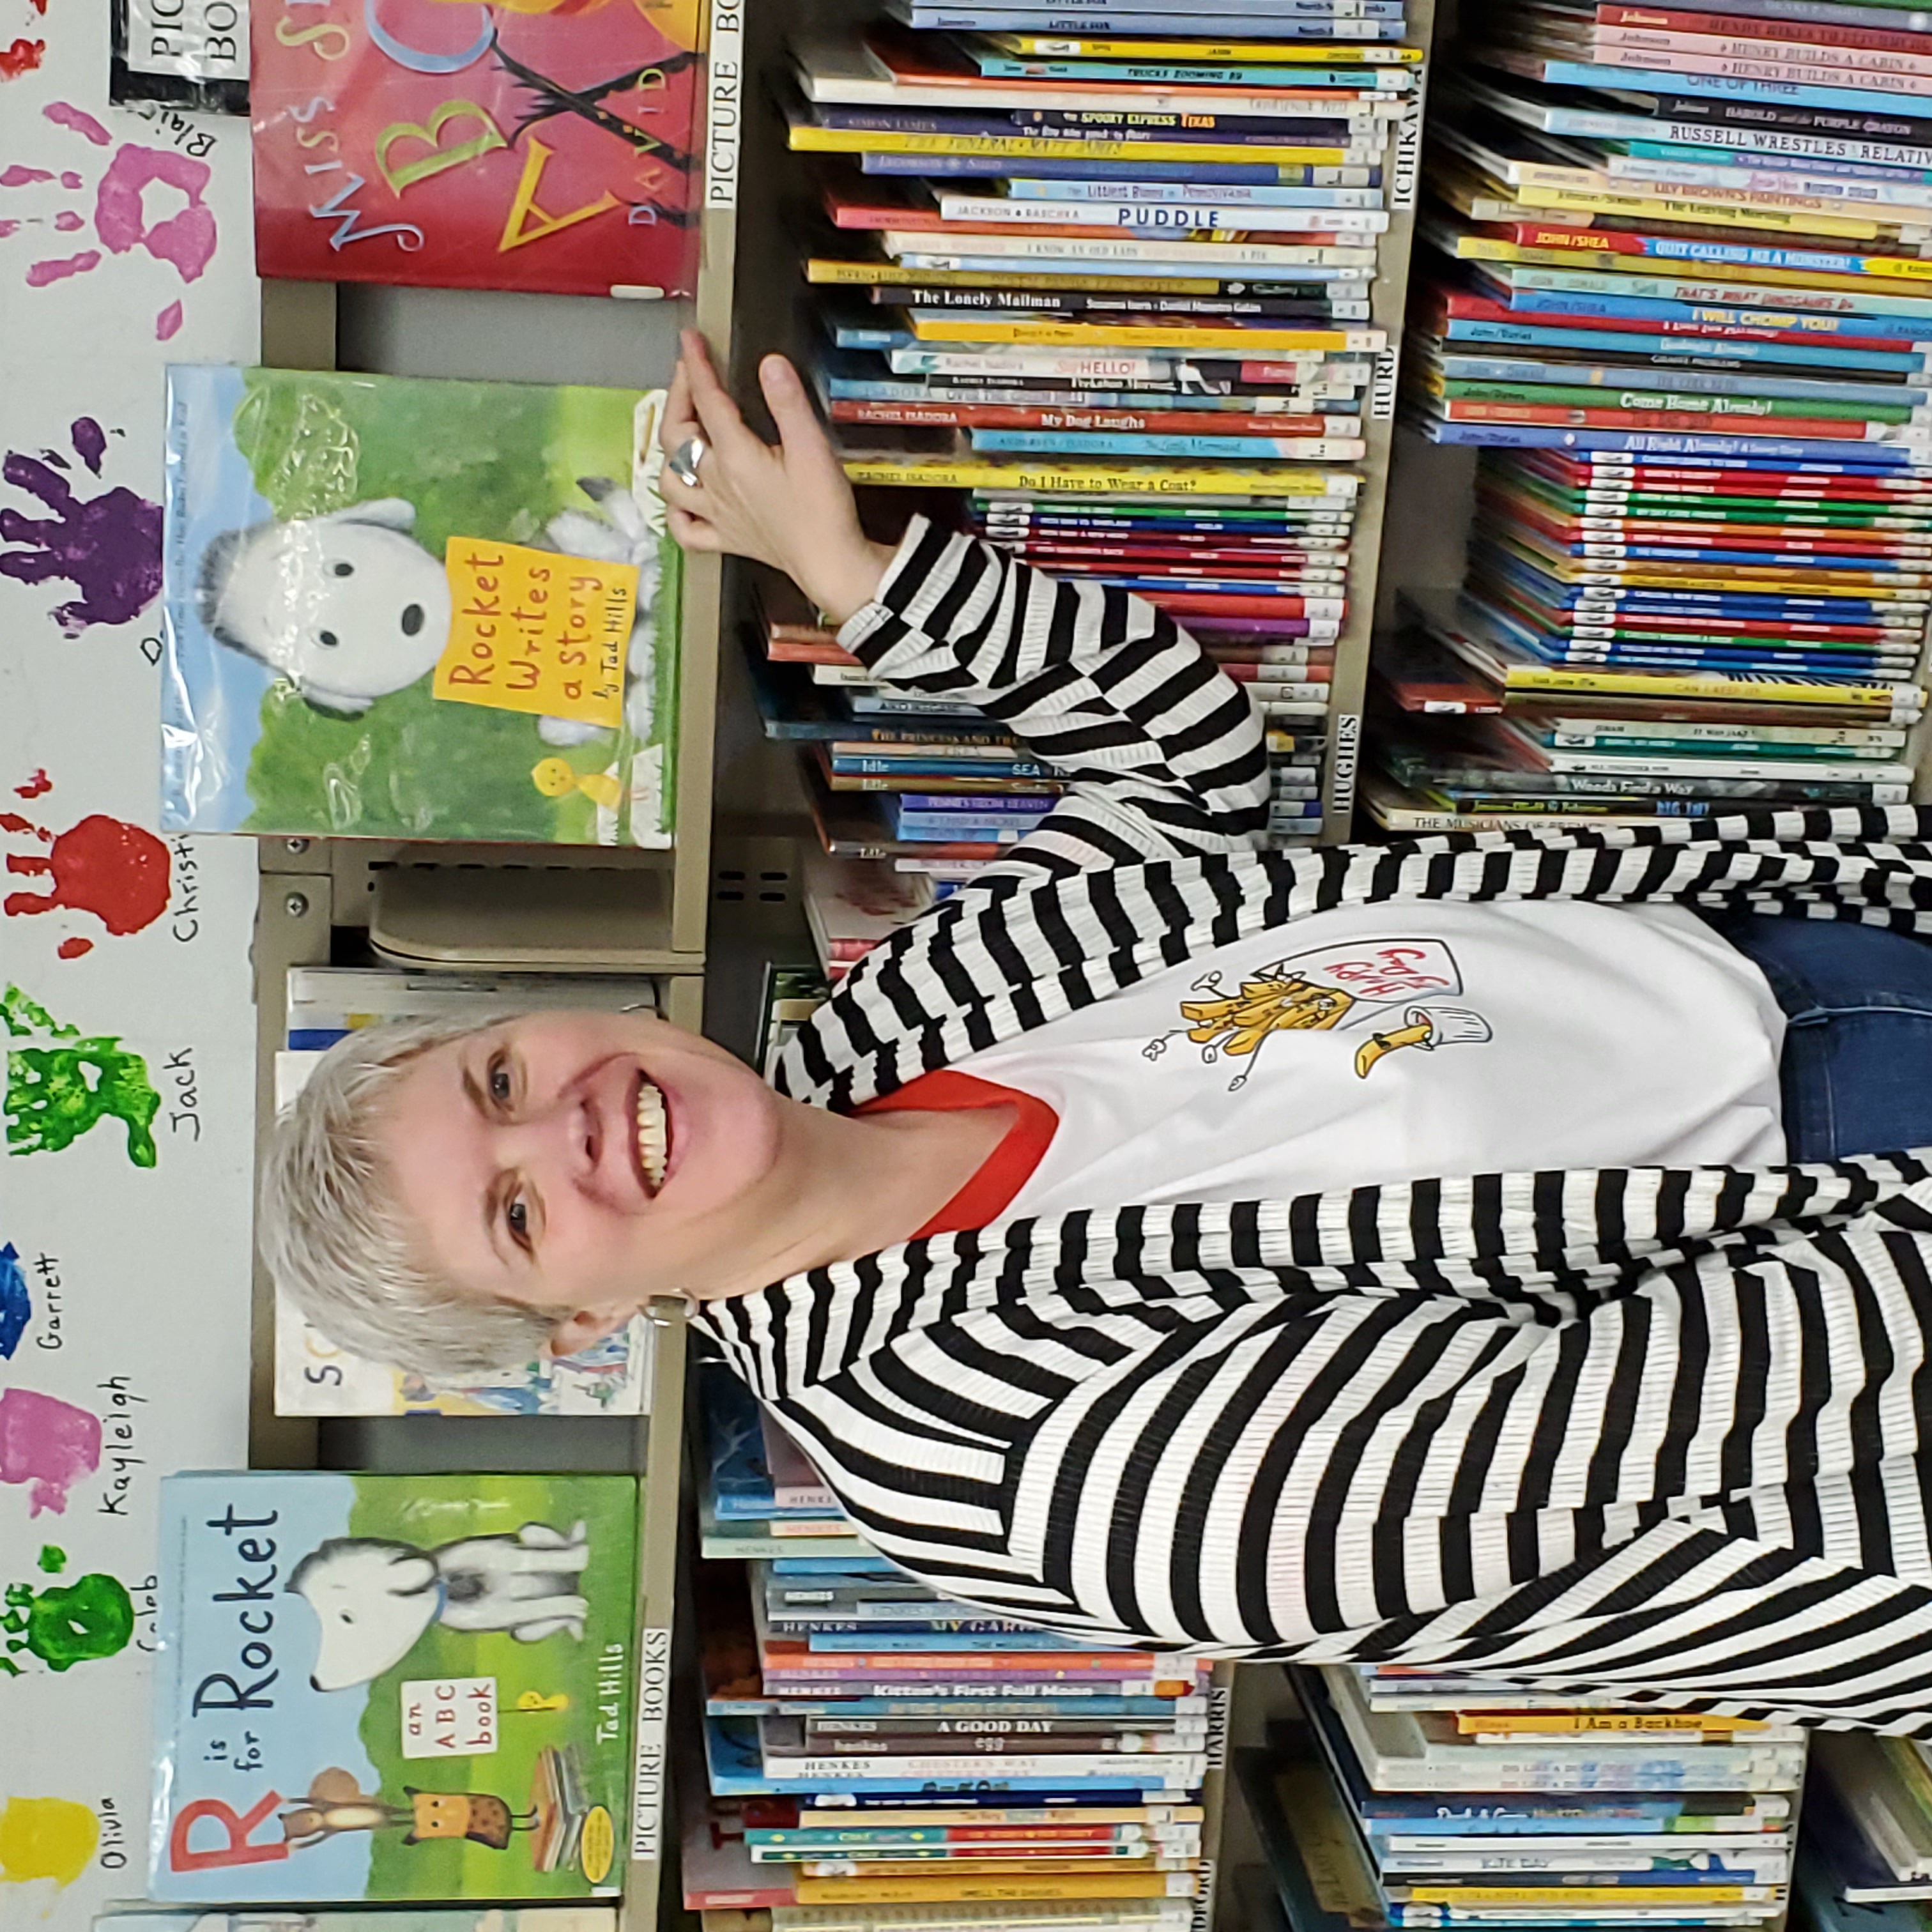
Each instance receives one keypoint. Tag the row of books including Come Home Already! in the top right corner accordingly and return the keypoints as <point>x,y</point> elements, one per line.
<point>1678,289</point>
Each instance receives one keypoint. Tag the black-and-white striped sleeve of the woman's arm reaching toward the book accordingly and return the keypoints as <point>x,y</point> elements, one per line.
<point>1160,751</point>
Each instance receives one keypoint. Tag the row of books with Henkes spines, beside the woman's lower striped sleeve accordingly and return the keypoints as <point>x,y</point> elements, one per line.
<point>882,1757</point>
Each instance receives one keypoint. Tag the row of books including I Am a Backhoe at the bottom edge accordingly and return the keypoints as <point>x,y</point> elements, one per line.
<point>1417,1802</point>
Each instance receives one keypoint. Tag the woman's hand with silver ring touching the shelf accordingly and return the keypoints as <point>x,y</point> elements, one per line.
<point>789,507</point>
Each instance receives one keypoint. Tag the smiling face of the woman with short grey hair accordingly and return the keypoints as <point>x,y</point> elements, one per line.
<point>584,1162</point>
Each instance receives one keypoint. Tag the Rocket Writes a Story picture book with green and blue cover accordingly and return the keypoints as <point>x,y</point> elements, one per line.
<point>416,610</point>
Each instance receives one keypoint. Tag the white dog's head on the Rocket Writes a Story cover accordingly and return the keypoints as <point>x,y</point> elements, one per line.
<point>345,610</point>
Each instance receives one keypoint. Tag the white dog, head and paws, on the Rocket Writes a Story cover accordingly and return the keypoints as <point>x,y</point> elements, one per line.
<point>351,608</point>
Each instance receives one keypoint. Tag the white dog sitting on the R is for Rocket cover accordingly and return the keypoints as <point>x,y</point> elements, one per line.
<point>376,1599</point>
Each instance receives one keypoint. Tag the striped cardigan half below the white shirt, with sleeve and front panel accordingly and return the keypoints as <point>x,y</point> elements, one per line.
<point>1684,1458</point>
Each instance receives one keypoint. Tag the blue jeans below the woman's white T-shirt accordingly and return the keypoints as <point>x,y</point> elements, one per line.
<point>1858,1065</point>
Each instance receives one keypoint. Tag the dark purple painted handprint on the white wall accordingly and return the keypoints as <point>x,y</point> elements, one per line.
<point>107,546</point>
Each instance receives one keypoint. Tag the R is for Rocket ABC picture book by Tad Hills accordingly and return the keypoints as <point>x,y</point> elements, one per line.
<point>393,1688</point>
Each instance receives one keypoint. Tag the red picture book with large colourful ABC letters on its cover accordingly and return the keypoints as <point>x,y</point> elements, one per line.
<point>525,146</point>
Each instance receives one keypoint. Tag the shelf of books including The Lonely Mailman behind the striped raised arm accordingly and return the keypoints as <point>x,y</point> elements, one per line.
<point>1118,287</point>
